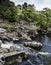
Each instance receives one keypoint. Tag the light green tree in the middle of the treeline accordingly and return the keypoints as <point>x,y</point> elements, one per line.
<point>28,14</point>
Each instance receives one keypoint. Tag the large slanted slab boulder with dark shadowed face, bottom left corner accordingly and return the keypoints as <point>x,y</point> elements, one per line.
<point>13,57</point>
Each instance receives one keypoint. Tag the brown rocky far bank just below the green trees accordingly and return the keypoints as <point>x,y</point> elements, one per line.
<point>15,31</point>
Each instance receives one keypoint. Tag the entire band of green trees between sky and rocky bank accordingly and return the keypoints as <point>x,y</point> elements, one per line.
<point>26,12</point>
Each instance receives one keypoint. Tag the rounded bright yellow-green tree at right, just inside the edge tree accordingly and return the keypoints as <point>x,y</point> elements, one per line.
<point>41,20</point>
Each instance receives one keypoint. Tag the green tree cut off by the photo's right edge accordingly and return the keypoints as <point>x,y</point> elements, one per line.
<point>47,13</point>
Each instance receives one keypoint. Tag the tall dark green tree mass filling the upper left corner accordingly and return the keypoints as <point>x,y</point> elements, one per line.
<point>8,10</point>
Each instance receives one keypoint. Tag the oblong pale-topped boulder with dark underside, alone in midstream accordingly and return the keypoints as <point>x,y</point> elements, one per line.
<point>34,45</point>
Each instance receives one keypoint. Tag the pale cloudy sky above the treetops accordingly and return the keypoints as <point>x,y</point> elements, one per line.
<point>39,4</point>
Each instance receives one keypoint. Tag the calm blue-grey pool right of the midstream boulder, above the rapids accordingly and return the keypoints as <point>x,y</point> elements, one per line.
<point>46,41</point>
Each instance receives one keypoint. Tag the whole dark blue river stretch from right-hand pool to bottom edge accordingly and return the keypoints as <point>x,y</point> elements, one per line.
<point>44,58</point>
